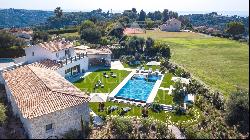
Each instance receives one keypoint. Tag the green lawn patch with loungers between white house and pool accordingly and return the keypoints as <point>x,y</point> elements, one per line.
<point>88,83</point>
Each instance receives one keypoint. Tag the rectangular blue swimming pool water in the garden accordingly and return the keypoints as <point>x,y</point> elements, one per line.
<point>137,89</point>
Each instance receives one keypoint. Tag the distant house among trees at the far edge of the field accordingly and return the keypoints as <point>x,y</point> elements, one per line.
<point>172,25</point>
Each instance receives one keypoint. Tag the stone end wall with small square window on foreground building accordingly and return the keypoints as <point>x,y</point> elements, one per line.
<point>62,121</point>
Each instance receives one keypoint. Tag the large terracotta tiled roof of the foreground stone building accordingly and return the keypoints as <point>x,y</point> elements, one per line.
<point>38,91</point>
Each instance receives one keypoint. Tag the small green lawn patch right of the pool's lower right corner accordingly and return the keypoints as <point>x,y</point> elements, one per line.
<point>162,97</point>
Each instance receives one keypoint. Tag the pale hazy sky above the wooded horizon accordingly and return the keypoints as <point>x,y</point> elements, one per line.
<point>120,5</point>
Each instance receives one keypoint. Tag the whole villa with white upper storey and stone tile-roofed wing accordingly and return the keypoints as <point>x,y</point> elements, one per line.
<point>39,90</point>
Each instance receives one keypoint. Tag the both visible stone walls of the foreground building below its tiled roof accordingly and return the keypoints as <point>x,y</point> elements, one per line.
<point>62,120</point>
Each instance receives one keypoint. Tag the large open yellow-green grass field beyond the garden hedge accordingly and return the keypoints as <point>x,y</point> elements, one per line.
<point>220,63</point>
